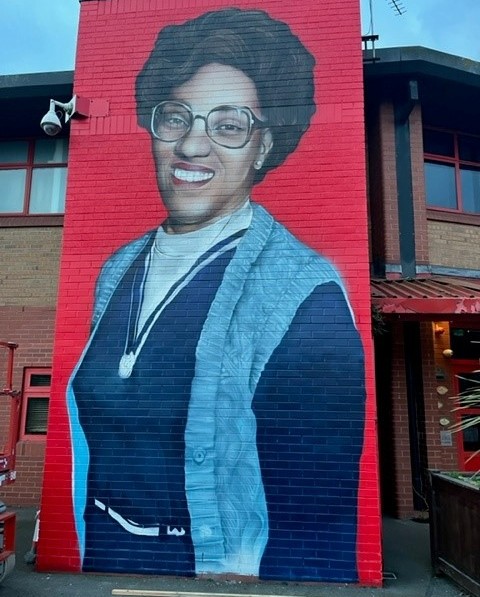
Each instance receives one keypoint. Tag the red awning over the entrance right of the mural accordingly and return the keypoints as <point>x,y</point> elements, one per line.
<point>437,295</point>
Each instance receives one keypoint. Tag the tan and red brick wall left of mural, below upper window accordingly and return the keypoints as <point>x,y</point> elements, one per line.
<point>28,282</point>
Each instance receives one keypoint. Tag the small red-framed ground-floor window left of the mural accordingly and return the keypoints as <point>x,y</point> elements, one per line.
<point>36,397</point>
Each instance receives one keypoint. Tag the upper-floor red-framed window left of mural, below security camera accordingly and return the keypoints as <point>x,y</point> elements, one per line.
<point>33,176</point>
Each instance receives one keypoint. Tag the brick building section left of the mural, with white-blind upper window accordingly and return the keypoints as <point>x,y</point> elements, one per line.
<point>33,171</point>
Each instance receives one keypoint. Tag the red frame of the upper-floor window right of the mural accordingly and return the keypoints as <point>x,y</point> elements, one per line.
<point>445,213</point>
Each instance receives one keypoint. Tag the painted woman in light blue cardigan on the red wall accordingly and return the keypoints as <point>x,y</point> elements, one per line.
<point>223,358</point>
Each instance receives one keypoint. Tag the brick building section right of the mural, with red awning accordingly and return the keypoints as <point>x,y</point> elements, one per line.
<point>423,155</point>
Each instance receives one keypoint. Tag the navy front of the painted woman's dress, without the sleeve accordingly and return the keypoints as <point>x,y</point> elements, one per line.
<point>142,419</point>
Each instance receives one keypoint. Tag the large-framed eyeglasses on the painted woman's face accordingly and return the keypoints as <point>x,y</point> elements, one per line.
<point>228,126</point>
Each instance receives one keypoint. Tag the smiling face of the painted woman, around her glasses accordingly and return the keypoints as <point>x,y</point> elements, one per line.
<point>199,180</point>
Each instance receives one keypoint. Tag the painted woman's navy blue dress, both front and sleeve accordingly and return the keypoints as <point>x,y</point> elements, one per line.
<point>309,411</point>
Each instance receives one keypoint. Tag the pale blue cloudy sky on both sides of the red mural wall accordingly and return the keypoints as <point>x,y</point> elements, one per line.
<point>40,35</point>
